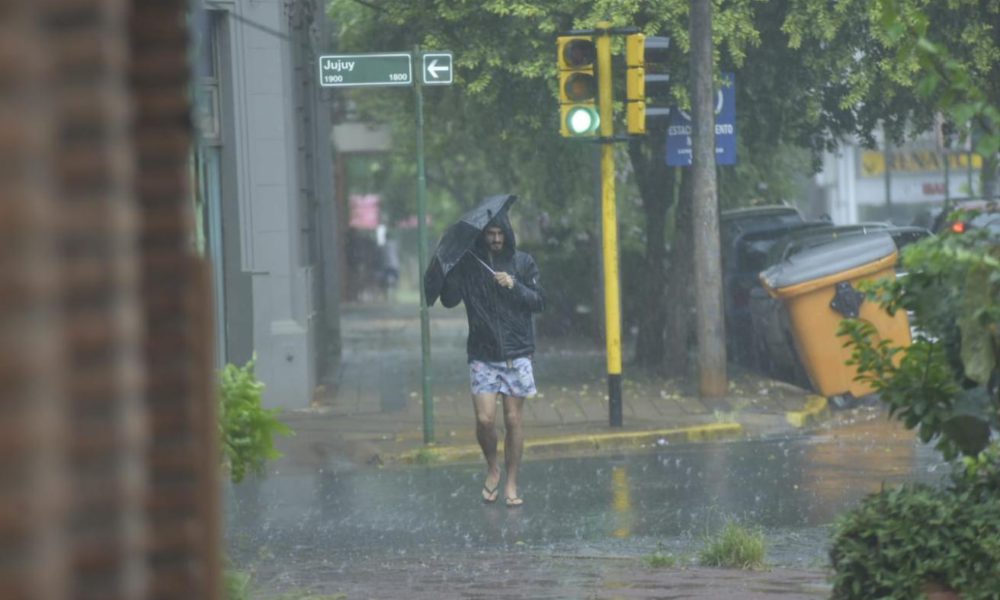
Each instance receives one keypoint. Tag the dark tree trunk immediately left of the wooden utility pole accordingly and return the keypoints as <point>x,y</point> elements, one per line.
<point>680,299</point>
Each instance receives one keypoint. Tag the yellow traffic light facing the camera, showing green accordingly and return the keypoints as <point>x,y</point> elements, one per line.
<point>577,86</point>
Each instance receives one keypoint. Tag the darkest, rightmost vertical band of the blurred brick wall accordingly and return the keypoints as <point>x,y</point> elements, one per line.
<point>183,464</point>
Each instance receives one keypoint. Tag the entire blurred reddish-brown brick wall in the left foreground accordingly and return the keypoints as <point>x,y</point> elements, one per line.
<point>108,466</point>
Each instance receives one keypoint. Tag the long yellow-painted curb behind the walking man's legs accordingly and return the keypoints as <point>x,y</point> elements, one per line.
<point>577,443</point>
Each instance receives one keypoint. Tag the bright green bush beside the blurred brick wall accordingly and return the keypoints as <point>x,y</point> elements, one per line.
<point>247,429</point>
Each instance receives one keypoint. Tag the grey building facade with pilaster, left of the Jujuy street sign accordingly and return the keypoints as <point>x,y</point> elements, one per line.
<point>266,182</point>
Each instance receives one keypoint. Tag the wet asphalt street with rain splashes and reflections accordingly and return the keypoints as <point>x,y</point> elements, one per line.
<point>586,529</point>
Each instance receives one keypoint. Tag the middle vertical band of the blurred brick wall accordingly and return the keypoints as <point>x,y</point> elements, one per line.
<point>101,327</point>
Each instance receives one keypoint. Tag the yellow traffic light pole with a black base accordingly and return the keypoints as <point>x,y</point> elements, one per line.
<point>609,228</point>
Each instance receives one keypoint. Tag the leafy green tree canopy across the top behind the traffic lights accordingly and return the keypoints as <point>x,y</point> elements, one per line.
<point>808,73</point>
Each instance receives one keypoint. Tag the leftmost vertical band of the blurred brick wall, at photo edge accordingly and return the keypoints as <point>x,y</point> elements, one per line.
<point>33,475</point>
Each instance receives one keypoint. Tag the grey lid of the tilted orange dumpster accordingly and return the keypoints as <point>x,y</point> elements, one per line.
<point>841,255</point>
